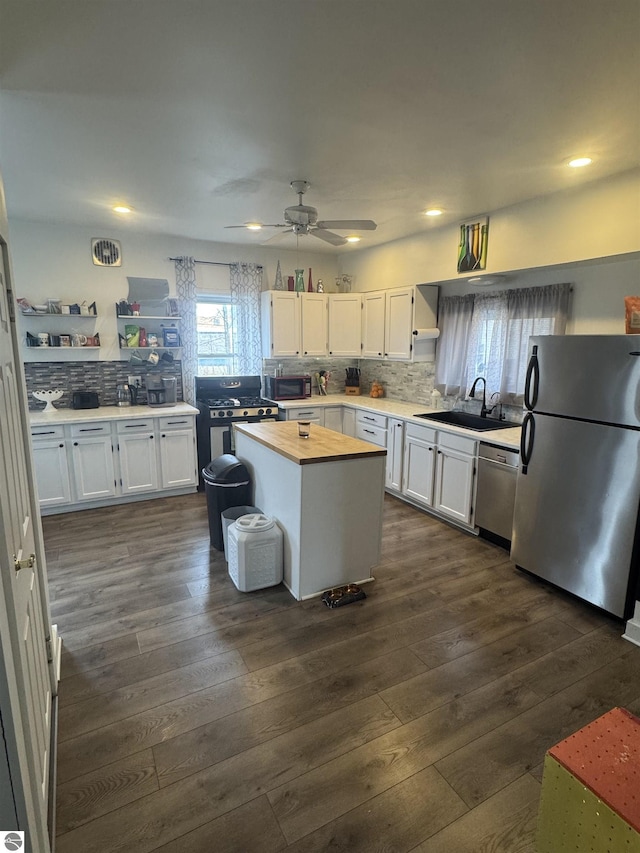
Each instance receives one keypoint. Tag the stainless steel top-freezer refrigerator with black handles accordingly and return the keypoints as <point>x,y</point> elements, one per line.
<point>578,485</point>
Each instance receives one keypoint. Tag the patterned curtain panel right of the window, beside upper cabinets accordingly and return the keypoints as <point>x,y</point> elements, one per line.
<point>246,286</point>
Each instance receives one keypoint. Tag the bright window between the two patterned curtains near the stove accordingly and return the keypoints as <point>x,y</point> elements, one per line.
<point>216,324</point>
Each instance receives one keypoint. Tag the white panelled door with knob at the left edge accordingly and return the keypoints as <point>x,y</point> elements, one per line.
<point>25,685</point>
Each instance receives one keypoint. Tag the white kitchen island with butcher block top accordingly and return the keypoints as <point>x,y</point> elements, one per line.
<point>326,493</point>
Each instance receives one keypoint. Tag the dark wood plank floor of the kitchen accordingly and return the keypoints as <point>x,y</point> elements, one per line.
<point>197,718</point>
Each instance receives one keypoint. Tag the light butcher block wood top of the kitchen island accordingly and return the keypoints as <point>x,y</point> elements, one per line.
<point>323,445</point>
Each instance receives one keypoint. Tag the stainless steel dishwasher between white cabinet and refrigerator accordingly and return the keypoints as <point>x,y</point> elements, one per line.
<point>496,494</point>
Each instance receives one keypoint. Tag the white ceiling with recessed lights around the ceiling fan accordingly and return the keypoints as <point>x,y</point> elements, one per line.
<point>199,114</point>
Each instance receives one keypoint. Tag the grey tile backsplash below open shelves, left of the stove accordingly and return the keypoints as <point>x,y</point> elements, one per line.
<point>100,376</point>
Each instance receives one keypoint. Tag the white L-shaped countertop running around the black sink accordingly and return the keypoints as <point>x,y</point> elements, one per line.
<point>509,438</point>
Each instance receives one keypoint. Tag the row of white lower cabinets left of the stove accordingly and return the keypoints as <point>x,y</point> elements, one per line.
<point>108,461</point>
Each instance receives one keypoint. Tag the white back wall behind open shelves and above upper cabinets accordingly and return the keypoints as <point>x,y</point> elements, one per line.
<point>55,261</point>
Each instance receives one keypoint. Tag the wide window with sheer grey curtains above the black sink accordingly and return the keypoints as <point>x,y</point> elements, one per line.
<point>488,335</point>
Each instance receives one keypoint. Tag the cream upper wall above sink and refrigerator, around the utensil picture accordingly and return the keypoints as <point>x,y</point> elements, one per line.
<point>599,220</point>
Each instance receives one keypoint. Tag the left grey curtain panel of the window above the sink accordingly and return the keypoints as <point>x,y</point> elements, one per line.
<point>454,321</point>
